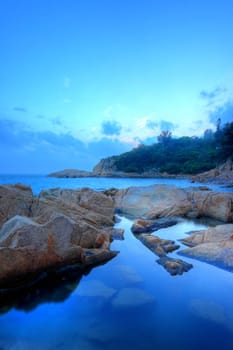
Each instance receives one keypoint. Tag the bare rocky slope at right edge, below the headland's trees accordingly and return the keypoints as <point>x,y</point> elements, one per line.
<point>221,175</point>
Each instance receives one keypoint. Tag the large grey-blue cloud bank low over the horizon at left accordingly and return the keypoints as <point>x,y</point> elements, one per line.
<point>23,150</point>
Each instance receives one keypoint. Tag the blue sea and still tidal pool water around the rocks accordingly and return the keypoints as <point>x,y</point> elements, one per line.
<point>131,302</point>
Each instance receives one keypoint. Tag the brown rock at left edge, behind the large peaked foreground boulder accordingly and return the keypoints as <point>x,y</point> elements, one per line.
<point>15,199</point>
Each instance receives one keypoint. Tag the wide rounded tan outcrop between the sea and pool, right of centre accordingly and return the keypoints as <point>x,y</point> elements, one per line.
<point>159,201</point>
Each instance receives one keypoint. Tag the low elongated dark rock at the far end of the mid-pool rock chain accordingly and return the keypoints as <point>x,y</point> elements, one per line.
<point>141,226</point>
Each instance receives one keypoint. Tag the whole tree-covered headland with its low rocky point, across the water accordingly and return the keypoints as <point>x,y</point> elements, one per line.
<point>170,158</point>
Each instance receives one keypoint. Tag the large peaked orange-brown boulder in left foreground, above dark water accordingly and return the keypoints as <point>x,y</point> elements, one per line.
<point>28,248</point>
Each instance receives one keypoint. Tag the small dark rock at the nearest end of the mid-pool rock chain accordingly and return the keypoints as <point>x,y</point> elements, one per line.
<point>174,266</point>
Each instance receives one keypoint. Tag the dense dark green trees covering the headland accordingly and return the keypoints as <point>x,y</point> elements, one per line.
<point>185,155</point>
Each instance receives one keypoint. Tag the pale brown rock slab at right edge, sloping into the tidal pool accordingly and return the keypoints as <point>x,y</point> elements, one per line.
<point>214,245</point>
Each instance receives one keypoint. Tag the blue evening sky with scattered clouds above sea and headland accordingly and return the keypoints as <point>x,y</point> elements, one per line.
<point>82,80</point>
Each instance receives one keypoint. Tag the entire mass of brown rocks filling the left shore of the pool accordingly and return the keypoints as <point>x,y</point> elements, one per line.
<point>55,229</point>
